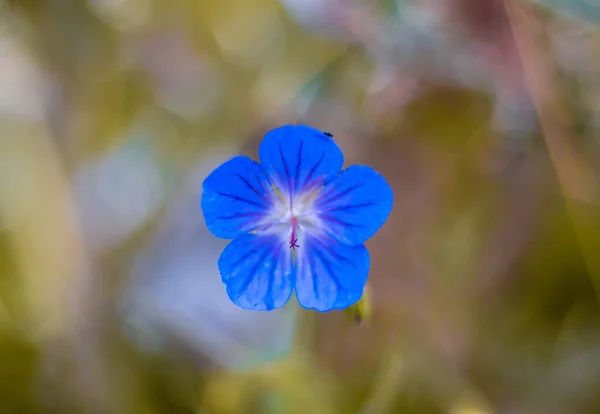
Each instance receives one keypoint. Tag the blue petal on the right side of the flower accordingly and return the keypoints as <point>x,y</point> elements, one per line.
<point>354,204</point>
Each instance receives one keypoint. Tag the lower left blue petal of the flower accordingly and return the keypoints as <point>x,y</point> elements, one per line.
<point>257,270</point>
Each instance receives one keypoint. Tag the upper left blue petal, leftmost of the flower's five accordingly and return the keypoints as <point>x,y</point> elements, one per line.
<point>235,197</point>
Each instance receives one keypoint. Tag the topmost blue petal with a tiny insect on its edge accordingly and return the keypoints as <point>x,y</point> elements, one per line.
<point>299,157</point>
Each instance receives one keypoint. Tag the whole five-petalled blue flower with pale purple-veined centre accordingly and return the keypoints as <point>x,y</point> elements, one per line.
<point>296,220</point>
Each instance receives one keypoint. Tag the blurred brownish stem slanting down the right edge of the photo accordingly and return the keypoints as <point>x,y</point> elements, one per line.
<point>575,177</point>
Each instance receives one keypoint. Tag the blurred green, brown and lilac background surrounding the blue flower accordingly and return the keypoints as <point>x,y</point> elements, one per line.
<point>484,116</point>
